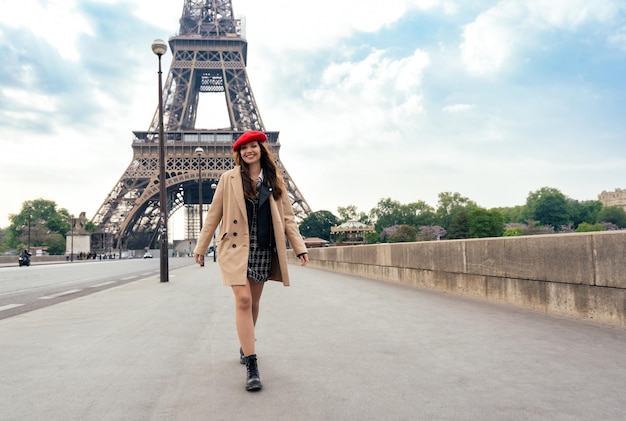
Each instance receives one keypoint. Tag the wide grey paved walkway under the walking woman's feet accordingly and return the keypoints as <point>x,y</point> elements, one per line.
<point>331,347</point>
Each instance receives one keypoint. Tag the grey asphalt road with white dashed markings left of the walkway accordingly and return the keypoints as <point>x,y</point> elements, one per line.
<point>30,288</point>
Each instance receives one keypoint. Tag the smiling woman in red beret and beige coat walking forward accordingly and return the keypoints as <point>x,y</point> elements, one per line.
<point>253,207</point>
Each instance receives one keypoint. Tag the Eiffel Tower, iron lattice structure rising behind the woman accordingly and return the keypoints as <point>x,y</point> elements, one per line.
<point>209,56</point>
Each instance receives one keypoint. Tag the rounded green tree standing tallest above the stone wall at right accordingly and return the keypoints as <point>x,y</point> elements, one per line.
<point>548,206</point>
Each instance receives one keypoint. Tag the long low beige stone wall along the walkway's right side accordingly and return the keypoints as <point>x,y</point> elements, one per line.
<point>574,275</point>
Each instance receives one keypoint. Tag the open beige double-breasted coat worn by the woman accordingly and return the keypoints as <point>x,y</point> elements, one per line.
<point>233,244</point>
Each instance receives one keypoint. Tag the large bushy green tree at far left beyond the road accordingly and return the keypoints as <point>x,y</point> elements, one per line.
<point>41,223</point>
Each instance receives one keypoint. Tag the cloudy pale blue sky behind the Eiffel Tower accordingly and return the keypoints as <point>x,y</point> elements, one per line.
<point>394,99</point>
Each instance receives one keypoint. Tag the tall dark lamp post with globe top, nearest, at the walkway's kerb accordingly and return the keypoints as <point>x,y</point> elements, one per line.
<point>159,47</point>
